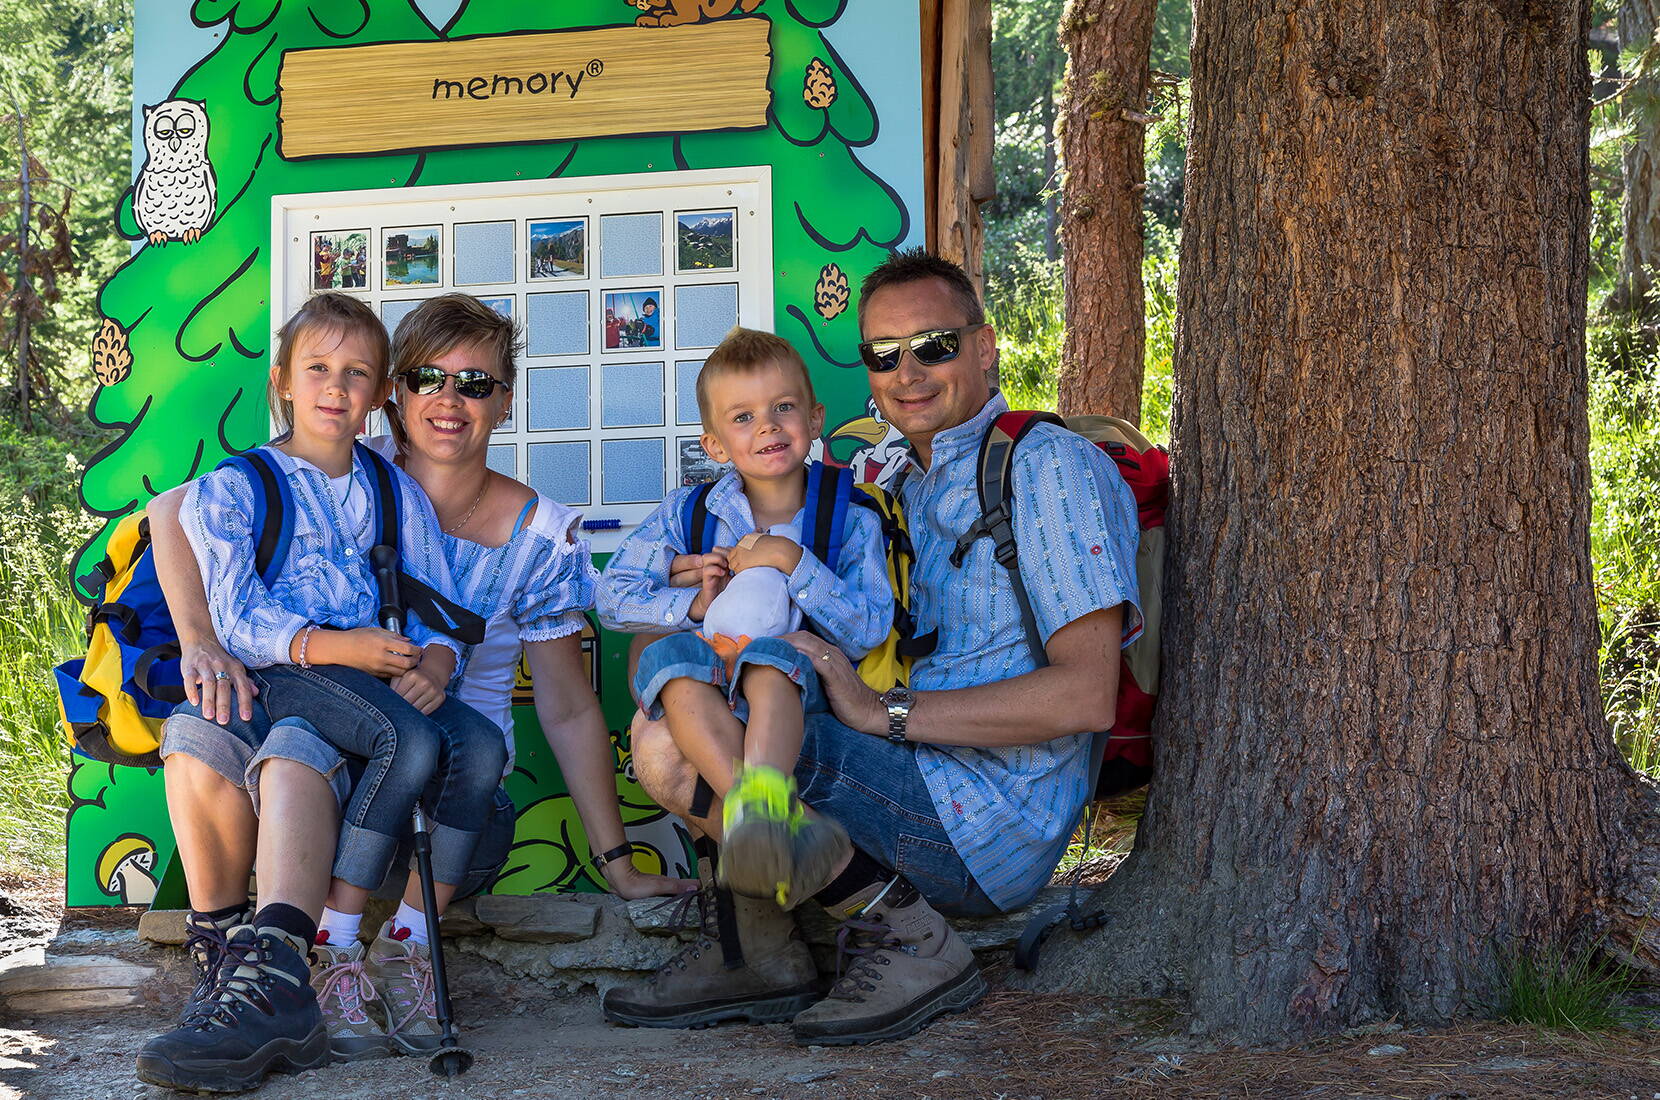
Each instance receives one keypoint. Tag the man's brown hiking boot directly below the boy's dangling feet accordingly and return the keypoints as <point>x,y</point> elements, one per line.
<point>748,963</point>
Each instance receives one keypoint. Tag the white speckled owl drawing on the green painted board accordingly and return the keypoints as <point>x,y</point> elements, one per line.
<point>177,193</point>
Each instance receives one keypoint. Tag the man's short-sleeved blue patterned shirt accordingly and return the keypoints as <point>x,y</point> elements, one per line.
<point>1010,812</point>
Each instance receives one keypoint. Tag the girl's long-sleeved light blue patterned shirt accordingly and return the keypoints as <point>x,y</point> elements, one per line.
<point>326,580</point>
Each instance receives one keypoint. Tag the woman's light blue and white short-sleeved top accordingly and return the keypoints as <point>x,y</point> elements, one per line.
<point>534,588</point>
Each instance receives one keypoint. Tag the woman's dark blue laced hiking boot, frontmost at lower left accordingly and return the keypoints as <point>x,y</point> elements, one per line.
<point>260,1018</point>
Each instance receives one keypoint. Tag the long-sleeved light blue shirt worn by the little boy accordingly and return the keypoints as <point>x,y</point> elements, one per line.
<point>852,606</point>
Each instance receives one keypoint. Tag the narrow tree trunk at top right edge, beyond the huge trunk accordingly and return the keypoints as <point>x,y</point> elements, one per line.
<point>1641,207</point>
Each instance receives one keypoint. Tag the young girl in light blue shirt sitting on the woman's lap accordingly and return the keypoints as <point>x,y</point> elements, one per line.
<point>310,640</point>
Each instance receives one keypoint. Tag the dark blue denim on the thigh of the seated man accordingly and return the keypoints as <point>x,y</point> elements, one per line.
<point>877,792</point>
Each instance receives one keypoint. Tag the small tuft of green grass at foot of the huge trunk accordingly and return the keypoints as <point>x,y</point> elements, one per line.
<point>1558,990</point>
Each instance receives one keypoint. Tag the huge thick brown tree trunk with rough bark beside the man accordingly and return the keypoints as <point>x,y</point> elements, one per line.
<point>1382,754</point>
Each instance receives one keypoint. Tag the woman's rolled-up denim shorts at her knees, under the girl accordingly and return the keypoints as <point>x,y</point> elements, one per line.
<point>238,749</point>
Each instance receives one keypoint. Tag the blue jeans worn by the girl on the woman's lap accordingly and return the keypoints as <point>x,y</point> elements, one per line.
<point>456,756</point>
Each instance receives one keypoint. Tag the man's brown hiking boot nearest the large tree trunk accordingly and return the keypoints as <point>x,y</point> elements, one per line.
<point>904,968</point>
